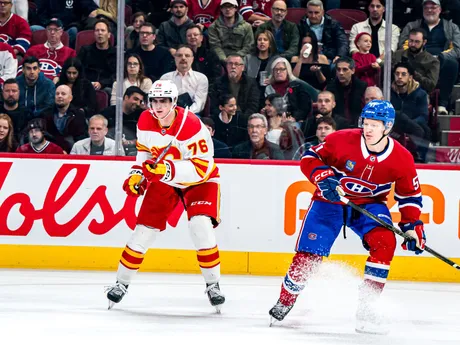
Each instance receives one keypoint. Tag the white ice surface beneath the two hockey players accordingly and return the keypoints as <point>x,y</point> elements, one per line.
<point>62,307</point>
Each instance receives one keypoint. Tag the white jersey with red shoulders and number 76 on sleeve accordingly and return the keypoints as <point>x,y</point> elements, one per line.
<point>191,154</point>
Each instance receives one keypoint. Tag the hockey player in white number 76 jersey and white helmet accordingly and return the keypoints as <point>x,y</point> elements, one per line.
<point>185,173</point>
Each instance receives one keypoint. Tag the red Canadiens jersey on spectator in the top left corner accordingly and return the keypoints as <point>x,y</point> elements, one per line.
<point>16,32</point>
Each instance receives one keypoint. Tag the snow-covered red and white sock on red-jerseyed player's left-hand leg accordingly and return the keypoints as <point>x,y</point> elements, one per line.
<point>302,266</point>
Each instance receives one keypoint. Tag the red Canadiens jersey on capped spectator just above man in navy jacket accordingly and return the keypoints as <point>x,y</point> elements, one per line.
<point>51,60</point>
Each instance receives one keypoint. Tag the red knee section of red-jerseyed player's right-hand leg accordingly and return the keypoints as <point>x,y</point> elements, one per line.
<point>381,244</point>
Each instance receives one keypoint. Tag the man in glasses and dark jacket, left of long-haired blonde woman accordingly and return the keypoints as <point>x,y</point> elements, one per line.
<point>235,82</point>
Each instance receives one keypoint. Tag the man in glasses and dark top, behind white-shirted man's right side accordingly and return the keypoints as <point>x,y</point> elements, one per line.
<point>205,60</point>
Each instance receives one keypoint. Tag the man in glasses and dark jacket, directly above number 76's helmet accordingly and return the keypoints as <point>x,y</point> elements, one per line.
<point>157,60</point>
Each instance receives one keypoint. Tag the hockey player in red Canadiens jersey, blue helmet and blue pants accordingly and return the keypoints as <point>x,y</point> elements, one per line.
<point>364,163</point>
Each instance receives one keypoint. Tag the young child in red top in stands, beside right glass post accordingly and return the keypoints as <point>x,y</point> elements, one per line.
<point>367,67</point>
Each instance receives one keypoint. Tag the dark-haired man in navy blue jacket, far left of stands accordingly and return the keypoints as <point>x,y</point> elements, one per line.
<point>36,92</point>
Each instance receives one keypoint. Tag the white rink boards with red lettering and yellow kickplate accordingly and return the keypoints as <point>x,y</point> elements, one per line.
<point>71,213</point>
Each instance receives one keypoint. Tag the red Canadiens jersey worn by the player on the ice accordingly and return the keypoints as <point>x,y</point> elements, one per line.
<point>367,177</point>
